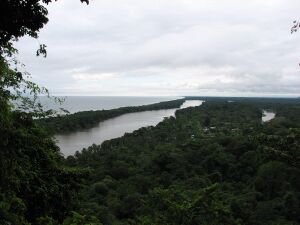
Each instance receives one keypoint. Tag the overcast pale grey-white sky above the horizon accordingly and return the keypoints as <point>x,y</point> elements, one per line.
<point>168,47</point>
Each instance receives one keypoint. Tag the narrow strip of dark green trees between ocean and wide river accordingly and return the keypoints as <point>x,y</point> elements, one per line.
<point>88,119</point>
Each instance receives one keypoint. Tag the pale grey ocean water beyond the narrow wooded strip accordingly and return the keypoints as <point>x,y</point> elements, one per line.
<point>85,103</point>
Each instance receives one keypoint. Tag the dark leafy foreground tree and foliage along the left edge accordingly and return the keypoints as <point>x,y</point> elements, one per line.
<point>35,186</point>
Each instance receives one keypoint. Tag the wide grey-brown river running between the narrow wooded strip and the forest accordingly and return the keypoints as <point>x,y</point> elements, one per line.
<point>115,127</point>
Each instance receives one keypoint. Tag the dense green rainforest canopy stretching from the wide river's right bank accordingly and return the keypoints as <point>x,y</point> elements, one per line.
<point>212,164</point>
